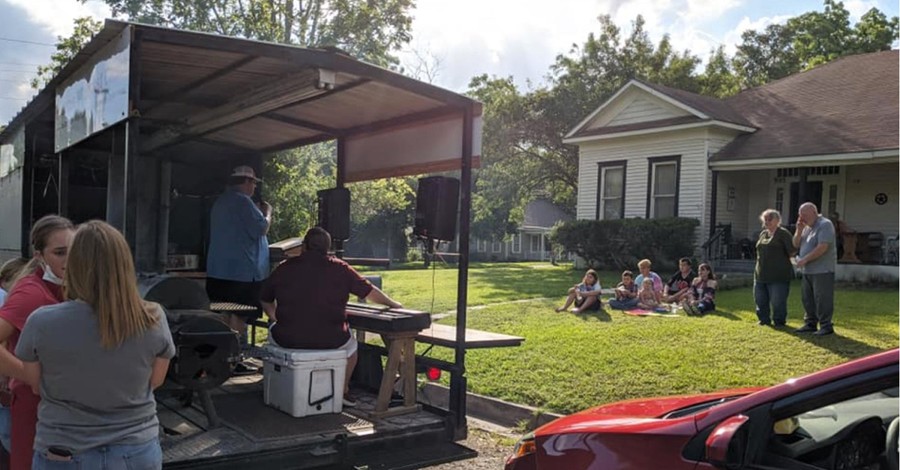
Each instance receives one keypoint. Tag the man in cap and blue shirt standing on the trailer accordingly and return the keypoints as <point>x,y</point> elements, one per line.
<point>238,257</point>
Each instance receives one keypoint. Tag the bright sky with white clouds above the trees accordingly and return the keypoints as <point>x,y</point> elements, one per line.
<point>457,39</point>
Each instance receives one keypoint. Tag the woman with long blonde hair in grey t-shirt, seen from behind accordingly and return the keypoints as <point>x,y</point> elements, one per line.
<point>96,359</point>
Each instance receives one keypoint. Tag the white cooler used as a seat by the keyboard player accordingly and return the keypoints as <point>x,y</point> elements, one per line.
<point>304,382</point>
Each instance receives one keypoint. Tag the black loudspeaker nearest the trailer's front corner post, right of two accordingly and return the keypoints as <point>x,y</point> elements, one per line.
<point>437,200</point>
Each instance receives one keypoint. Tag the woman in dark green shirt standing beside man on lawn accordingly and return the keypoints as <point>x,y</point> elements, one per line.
<point>773,273</point>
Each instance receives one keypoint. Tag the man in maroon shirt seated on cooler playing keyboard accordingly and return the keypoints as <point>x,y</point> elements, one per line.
<point>306,296</point>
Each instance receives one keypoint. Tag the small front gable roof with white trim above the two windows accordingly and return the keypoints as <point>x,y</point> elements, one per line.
<point>698,109</point>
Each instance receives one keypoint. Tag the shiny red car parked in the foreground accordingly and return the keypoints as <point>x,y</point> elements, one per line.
<point>844,417</point>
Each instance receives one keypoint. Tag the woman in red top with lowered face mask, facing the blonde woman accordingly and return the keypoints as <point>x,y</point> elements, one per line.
<point>38,284</point>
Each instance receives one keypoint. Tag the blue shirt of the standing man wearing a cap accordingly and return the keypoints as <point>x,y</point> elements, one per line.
<point>238,247</point>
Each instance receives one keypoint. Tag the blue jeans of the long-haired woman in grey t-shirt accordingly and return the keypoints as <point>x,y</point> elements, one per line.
<point>147,456</point>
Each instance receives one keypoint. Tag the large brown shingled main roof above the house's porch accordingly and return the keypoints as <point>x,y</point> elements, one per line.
<point>846,106</point>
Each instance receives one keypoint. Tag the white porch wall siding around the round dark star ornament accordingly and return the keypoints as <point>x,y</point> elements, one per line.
<point>863,183</point>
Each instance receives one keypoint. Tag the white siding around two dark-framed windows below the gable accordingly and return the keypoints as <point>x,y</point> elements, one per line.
<point>690,145</point>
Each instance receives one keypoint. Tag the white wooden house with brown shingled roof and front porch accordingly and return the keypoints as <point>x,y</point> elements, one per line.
<point>828,135</point>
